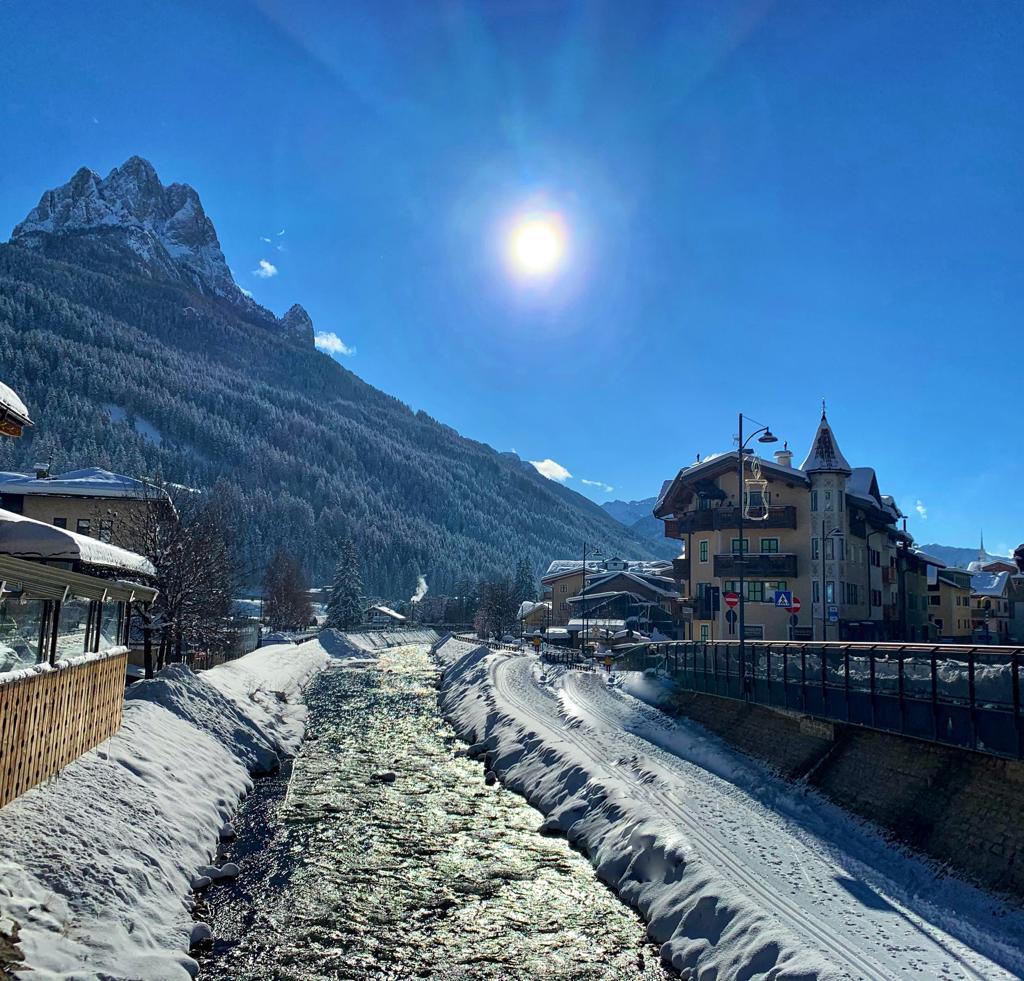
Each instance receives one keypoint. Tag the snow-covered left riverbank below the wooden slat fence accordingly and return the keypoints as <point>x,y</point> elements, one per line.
<point>96,867</point>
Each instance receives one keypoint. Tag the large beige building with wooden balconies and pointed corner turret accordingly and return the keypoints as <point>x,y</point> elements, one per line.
<point>823,532</point>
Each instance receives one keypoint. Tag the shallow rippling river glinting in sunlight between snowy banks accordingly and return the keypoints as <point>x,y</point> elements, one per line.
<point>433,876</point>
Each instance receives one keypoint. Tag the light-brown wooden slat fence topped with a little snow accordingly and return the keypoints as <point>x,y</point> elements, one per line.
<point>51,716</point>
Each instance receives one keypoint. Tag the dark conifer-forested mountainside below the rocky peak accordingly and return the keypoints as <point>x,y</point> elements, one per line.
<point>147,376</point>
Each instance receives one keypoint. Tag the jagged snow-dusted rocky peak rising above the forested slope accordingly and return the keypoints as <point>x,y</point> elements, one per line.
<point>163,231</point>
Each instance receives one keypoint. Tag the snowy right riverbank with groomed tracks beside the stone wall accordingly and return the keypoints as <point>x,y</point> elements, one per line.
<point>738,874</point>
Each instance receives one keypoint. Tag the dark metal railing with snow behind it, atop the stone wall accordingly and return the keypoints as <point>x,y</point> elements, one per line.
<point>958,696</point>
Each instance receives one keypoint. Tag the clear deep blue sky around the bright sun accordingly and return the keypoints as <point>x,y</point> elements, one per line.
<point>766,204</point>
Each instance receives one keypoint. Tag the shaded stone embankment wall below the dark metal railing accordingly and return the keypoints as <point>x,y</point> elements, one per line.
<point>962,808</point>
